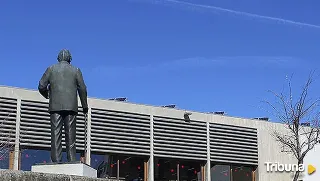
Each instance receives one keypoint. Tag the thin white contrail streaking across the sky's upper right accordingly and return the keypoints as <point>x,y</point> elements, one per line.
<point>244,13</point>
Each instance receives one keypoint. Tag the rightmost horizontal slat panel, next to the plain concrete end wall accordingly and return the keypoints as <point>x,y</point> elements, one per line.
<point>233,144</point>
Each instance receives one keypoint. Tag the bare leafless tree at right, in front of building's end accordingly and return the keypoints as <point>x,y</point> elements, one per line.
<point>299,139</point>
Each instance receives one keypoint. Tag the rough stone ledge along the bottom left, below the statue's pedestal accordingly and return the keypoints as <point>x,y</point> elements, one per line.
<point>11,175</point>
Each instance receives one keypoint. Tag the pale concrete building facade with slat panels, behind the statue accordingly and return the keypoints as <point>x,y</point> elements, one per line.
<point>152,132</point>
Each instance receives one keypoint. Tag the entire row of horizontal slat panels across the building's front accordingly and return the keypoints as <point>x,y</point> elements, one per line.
<point>126,132</point>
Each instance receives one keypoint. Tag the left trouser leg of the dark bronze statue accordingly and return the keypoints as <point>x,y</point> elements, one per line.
<point>56,137</point>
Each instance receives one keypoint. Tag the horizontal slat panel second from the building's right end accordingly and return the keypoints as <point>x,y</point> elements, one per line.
<point>177,138</point>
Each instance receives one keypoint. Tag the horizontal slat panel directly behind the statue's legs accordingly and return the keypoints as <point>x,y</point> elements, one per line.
<point>35,126</point>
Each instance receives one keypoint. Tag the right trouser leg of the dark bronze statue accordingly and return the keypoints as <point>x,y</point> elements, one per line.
<point>70,134</point>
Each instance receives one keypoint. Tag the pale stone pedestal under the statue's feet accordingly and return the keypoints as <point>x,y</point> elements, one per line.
<point>74,168</point>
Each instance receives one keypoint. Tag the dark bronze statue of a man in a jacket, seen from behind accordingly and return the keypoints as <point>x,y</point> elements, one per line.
<point>60,84</point>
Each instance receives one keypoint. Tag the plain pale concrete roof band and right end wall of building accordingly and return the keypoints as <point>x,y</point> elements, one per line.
<point>269,150</point>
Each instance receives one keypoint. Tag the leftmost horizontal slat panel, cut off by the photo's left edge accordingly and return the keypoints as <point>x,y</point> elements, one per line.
<point>8,111</point>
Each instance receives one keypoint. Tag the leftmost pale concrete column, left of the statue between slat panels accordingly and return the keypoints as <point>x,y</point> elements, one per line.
<point>17,137</point>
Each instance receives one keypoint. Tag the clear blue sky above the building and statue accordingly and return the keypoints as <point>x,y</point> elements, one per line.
<point>166,52</point>
